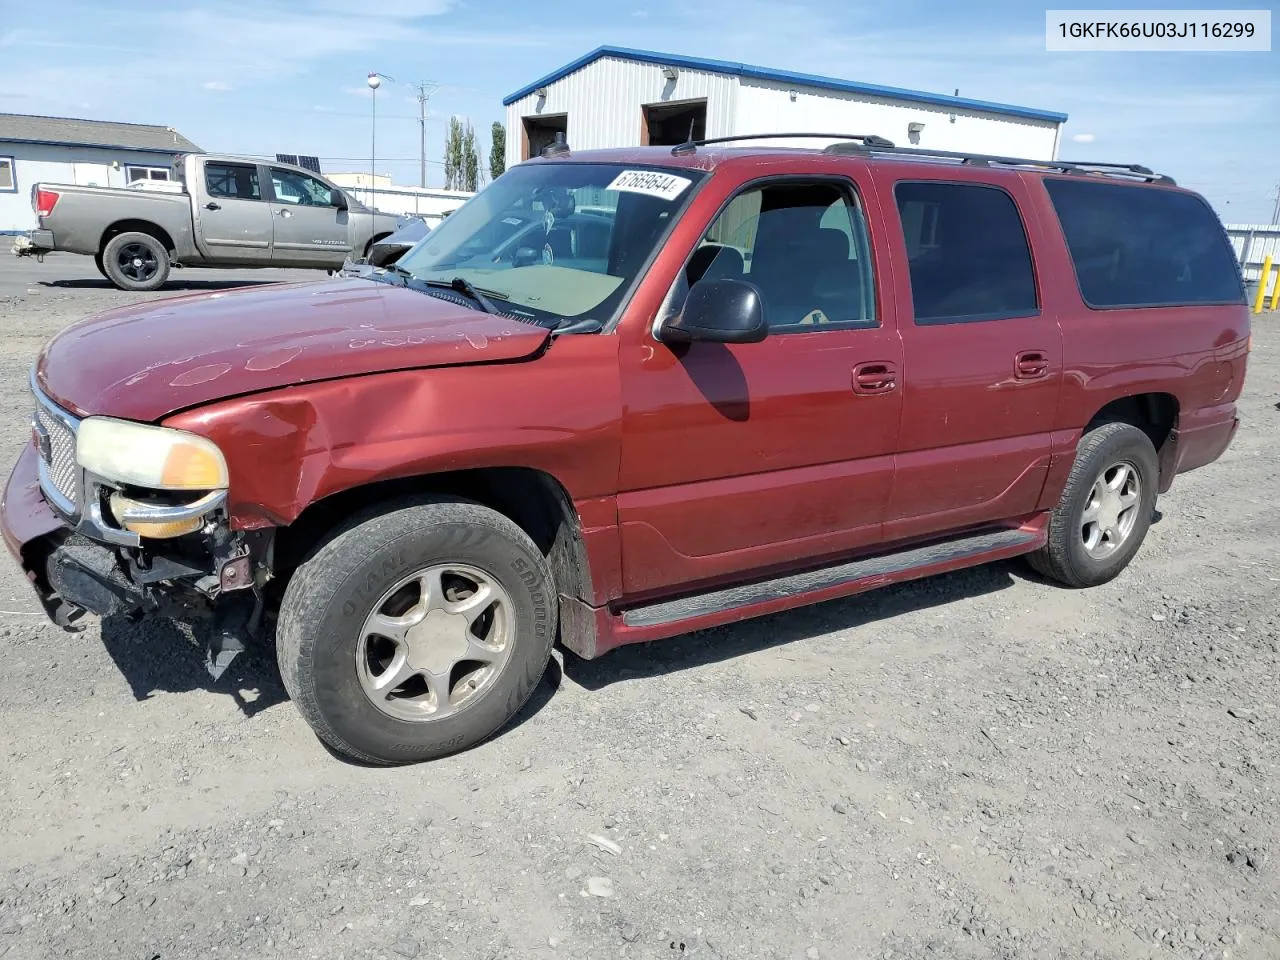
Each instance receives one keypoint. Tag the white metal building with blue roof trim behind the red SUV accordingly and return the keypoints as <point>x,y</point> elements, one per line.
<point>620,98</point>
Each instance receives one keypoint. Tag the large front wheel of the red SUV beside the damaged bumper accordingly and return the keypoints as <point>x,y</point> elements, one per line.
<point>418,633</point>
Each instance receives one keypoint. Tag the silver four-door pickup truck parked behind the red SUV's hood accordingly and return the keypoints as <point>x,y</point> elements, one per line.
<point>225,212</point>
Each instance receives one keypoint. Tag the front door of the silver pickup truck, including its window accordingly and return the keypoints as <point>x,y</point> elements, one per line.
<point>310,231</point>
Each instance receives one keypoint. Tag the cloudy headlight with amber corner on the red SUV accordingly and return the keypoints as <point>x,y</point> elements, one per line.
<point>154,458</point>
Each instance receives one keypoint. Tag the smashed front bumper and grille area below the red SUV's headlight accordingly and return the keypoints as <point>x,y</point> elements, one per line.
<point>80,564</point>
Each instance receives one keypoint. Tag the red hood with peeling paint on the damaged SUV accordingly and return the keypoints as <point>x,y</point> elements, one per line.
<point>148,360</point>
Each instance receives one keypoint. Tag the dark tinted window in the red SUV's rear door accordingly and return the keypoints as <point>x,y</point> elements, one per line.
<point>968,254</point>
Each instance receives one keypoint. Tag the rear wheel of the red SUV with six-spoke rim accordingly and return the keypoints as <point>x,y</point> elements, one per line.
<point>1105,511</point>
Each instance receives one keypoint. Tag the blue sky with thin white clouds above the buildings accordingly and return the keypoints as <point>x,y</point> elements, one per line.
<point>289,76</point>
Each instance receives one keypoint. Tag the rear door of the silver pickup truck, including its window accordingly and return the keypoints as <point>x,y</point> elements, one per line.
<point>235,220</point>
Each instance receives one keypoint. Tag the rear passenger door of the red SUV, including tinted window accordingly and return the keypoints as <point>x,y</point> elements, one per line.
<point>982,355</point>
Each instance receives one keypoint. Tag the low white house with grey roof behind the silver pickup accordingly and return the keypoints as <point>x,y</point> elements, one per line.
<point>90,153</point>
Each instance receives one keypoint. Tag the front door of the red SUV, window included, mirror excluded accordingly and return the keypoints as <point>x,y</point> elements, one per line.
<point>746,459</point>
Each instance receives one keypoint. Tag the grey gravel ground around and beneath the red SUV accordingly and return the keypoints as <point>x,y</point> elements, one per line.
<point>977,766</point>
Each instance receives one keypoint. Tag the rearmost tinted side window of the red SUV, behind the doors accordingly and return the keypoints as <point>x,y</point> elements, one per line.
<point>1140,248</point>
